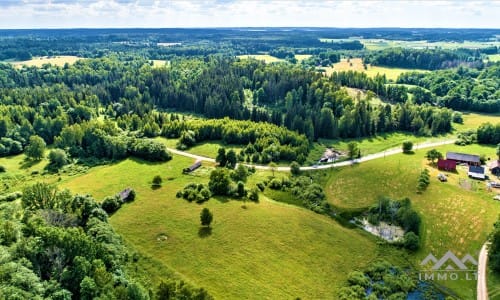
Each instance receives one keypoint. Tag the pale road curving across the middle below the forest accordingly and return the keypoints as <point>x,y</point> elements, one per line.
<point>327,166</point>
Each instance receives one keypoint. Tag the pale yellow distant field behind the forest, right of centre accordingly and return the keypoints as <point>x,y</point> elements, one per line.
<point>356,64</point>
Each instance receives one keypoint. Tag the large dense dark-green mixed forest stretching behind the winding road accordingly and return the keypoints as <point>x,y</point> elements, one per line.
<point>44,100</point>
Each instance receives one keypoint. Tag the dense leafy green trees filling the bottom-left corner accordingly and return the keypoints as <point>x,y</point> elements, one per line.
<point>55,245</point>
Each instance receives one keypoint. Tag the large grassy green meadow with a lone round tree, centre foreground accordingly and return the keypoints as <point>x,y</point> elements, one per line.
<point>269,250</point>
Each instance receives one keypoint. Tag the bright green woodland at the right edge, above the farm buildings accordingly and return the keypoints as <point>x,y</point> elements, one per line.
<point>462,88</point>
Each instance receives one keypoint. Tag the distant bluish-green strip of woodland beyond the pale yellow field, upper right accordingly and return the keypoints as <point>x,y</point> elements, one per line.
<point>427,59</point>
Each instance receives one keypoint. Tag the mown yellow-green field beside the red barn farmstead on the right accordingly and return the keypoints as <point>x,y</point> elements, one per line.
<point>453,218</point>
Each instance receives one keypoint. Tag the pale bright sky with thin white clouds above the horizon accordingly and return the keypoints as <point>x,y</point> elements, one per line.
<point>247,13</point>
